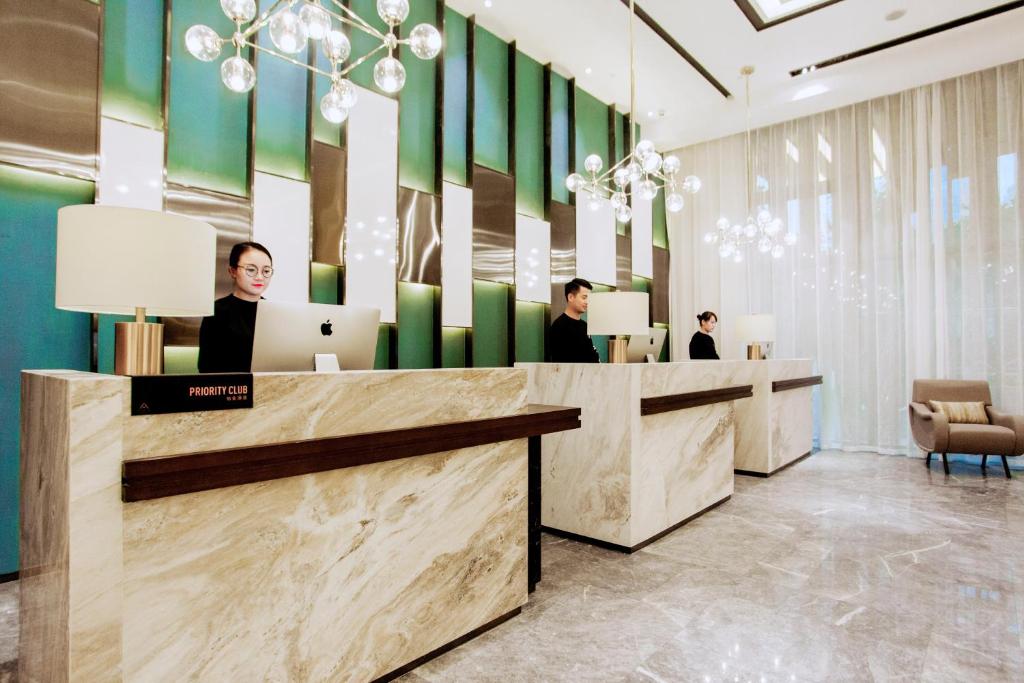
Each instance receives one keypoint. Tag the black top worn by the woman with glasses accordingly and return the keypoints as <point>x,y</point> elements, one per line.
<point>226,339</point>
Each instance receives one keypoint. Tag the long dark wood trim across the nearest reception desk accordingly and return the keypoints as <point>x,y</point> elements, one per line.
<point>172,476</point>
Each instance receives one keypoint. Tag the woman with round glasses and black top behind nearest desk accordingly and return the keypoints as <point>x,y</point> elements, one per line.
<point>226,339</point>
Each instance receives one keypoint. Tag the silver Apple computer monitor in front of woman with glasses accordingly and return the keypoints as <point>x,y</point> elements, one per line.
<point>288,336</point>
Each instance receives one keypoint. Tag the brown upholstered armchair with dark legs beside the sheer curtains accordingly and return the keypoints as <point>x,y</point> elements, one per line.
<point>1003,437</point>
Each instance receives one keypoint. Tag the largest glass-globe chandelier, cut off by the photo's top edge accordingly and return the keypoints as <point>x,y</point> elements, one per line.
<point>290,31</point>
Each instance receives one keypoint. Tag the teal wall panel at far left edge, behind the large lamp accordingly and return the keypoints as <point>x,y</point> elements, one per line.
<point>33,333</point>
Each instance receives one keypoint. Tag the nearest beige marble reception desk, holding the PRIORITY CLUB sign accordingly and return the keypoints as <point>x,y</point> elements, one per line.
<point>343,529</point>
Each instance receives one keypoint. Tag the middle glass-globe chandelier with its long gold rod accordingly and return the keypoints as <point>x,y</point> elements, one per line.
<point>642,173</point>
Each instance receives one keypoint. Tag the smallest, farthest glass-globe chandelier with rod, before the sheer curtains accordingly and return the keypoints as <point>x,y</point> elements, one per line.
<point>761,229</point>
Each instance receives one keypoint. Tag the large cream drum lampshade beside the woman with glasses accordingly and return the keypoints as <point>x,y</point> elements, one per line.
<point>115,260</point>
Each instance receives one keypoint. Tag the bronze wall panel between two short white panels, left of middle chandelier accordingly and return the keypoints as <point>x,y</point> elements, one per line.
<point>494,227</point>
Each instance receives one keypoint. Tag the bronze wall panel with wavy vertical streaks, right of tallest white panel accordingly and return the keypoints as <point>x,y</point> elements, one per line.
<point>419,237</point>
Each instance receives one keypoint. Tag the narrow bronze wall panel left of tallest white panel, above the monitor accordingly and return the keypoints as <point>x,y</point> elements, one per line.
<point>329,203</point>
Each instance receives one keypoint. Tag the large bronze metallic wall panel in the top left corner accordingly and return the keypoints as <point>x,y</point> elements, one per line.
<point>50,86</point>
